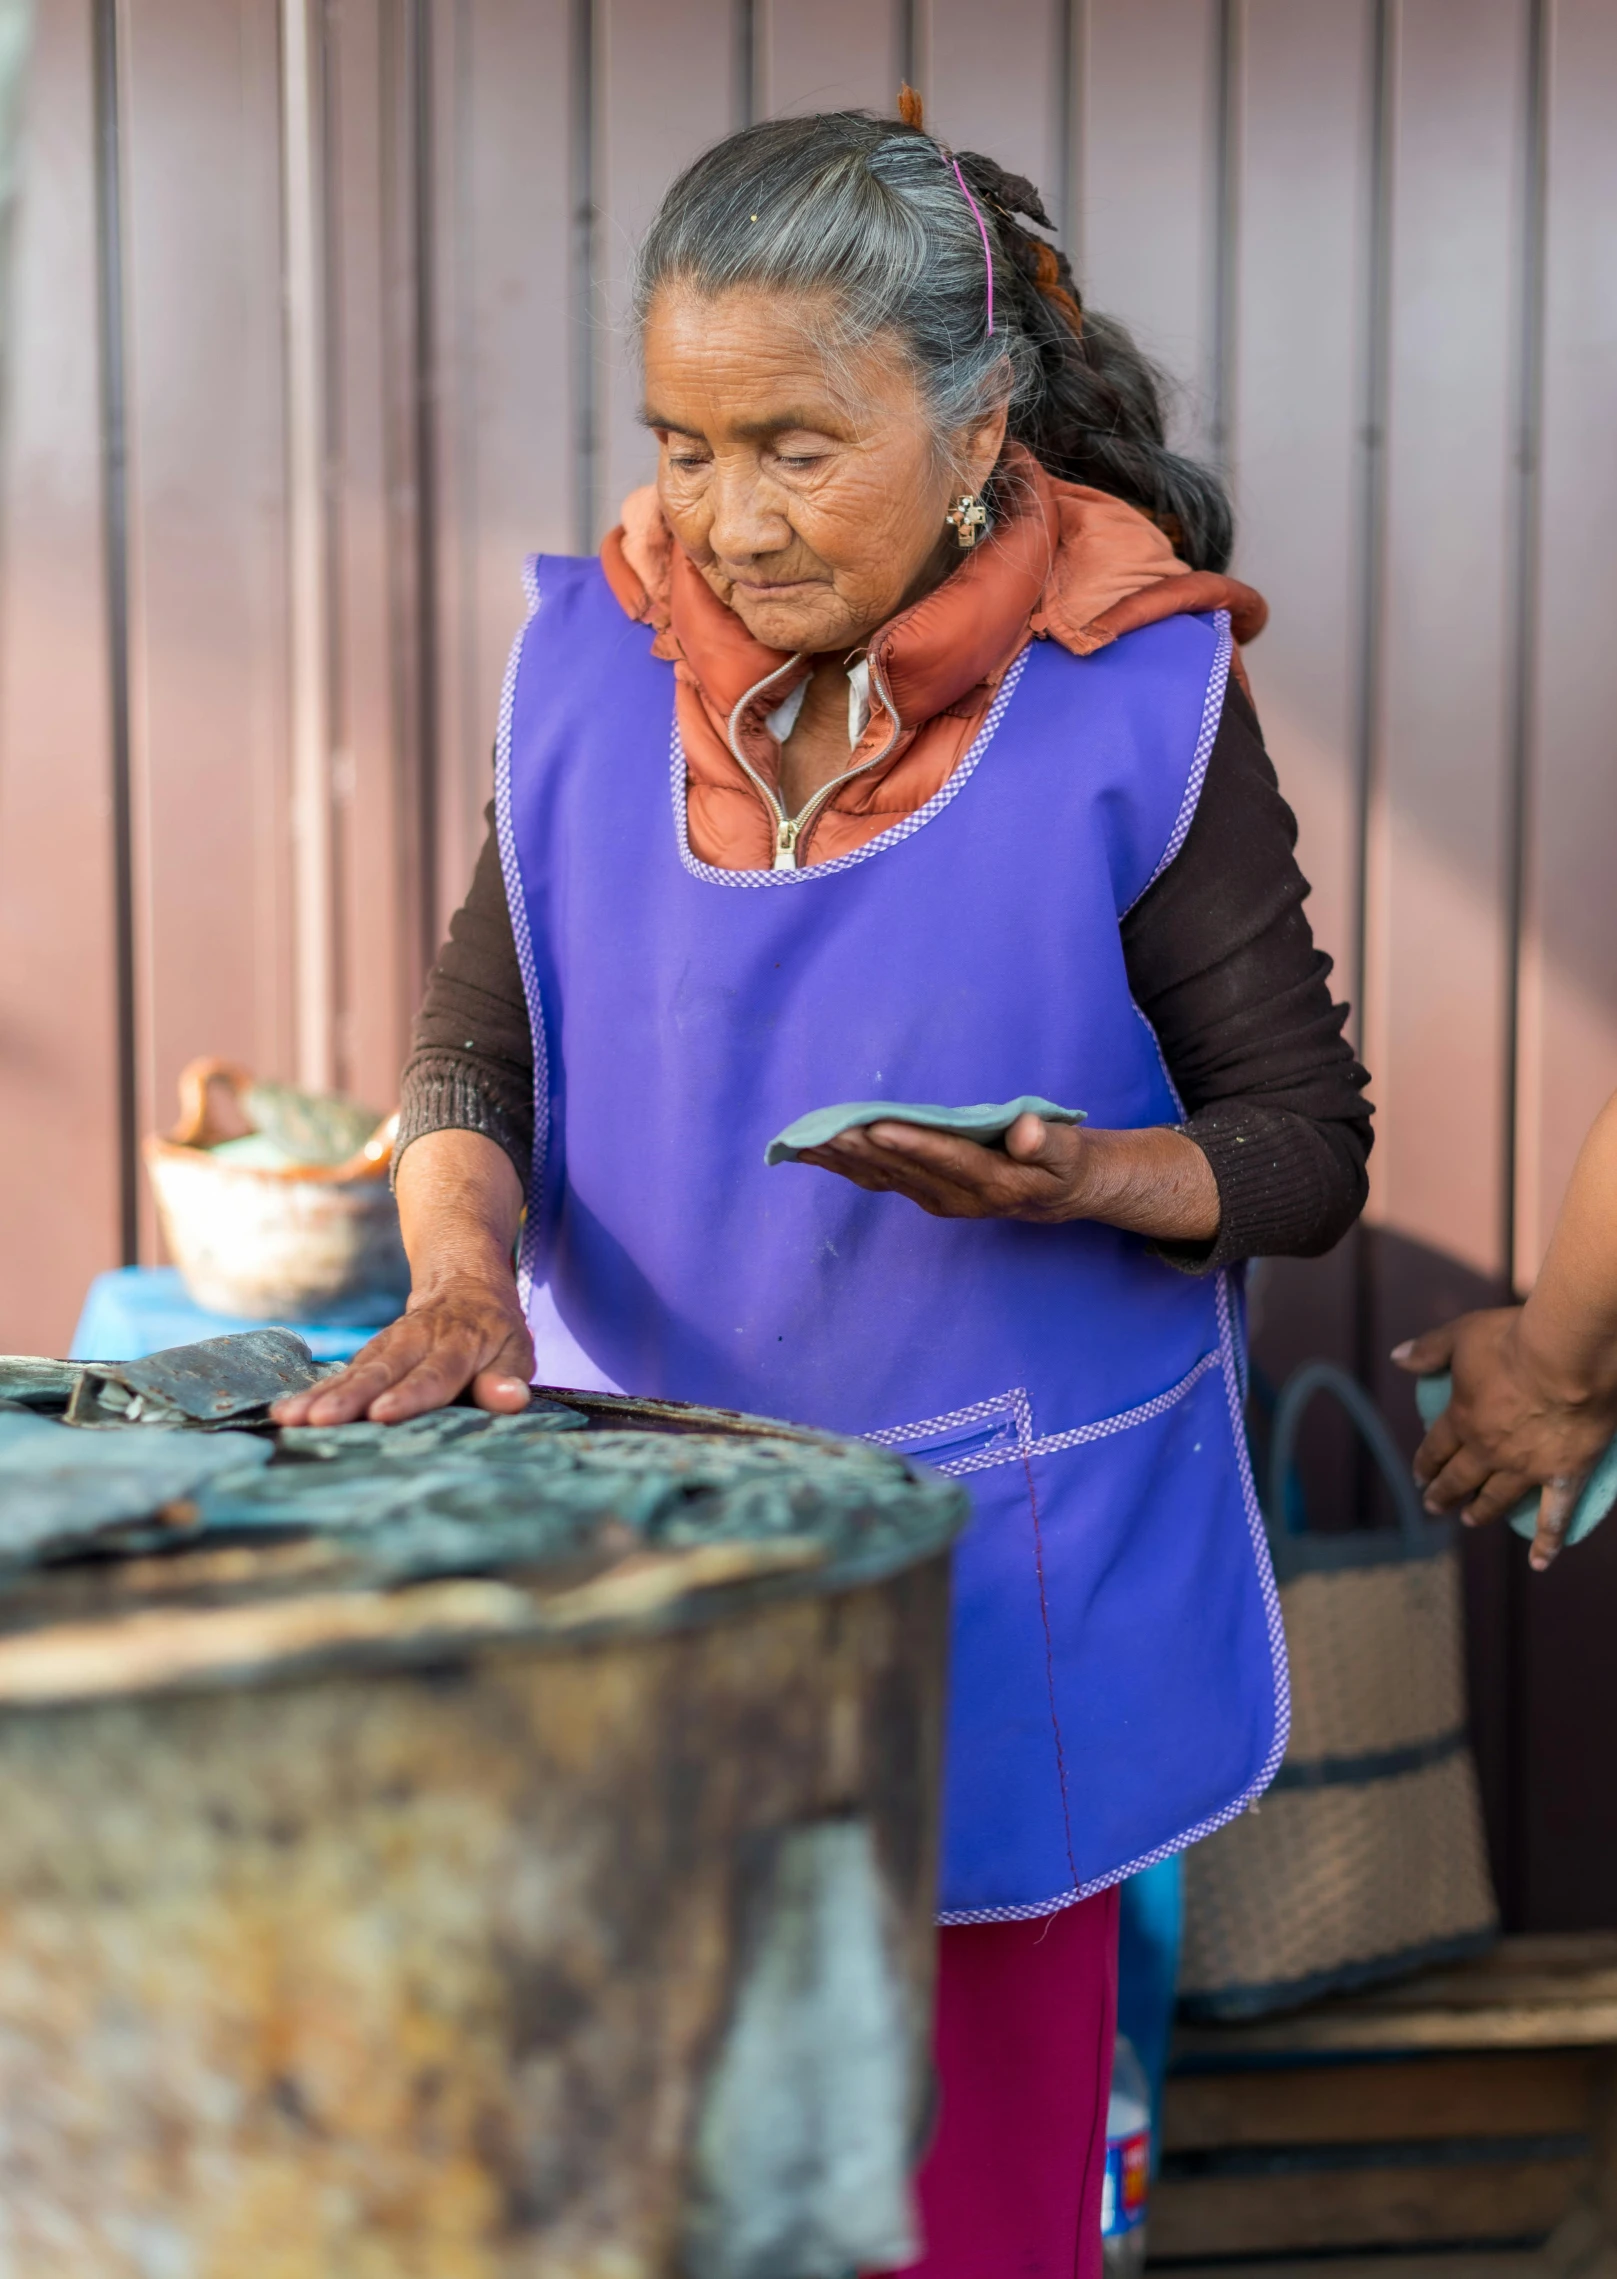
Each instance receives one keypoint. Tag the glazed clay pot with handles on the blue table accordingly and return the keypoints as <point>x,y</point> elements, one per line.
<point>309,1243</point>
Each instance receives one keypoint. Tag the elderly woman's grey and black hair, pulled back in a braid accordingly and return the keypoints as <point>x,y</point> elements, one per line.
<point>869,215</point>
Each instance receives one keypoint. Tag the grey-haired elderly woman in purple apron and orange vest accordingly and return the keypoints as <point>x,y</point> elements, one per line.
<point>967,806</point>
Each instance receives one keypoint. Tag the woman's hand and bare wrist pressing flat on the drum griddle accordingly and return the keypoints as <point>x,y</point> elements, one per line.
<point>459,1211</point>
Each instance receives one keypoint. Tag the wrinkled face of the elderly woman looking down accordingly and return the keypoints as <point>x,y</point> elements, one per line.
<point>812,500</point>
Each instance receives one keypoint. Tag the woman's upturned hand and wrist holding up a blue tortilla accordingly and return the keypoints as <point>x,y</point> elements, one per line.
<point>1154,1182</point>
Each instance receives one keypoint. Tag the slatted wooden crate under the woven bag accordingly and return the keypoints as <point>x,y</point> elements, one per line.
<point>1459,2114</point>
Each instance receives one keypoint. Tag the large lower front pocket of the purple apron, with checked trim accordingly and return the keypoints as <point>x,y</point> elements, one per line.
<point>1117,1678</point>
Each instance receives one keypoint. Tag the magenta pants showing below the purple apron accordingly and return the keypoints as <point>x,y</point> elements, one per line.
<point>1026,2023</point>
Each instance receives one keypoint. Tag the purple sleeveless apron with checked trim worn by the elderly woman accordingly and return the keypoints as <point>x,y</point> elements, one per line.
<point>1119,1669</point>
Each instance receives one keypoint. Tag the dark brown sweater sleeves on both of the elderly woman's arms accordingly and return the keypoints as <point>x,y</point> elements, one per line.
<point>1220,958</point>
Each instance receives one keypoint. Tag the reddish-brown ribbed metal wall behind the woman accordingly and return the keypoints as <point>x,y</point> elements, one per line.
<point>320,329</point>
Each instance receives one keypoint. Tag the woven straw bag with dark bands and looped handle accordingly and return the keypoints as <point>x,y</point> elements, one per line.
<point>1368,1852</point>
